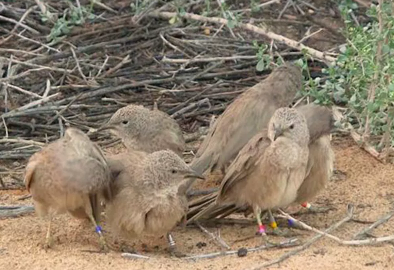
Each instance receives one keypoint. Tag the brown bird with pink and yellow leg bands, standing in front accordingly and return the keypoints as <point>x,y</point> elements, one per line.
<point>270,168</point>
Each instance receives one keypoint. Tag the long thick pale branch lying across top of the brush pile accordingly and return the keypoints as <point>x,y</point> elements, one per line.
<point>247,26</point>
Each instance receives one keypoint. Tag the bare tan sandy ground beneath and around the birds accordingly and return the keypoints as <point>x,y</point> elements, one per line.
<point>367,185</point>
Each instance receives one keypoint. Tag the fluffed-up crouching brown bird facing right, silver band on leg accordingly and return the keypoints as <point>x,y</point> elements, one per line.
<point>149,194</point>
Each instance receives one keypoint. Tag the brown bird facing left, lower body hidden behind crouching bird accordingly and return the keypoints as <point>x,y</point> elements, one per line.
<point>146,130</point>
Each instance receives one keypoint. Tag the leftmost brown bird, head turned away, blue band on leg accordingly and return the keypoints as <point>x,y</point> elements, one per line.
<point>68,175</point>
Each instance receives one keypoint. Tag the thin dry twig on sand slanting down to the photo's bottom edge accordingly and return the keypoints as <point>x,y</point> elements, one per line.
<point>309,242</point>
